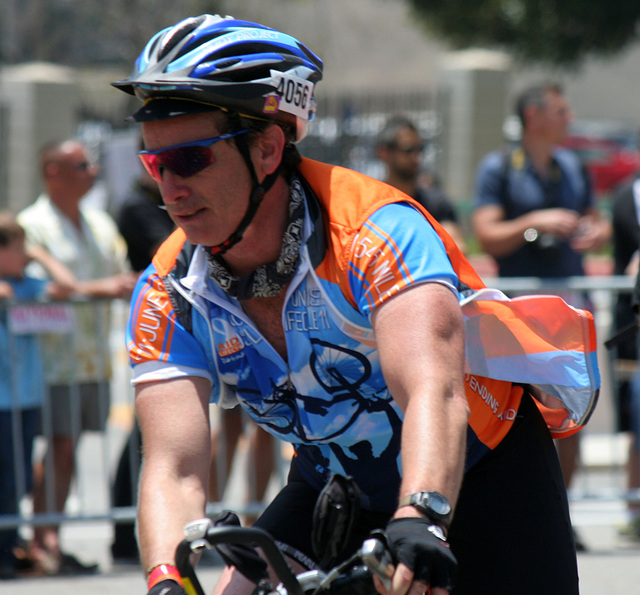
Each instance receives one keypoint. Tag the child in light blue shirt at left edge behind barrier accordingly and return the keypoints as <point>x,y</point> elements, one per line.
<point>21,382</point>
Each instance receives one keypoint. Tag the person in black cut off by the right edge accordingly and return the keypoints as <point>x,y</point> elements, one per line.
<point>626,242</point>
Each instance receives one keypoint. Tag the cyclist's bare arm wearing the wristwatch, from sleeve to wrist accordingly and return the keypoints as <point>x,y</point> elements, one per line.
<point>420,338</point>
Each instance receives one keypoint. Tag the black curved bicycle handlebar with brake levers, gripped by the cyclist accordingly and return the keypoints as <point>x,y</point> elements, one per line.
<point>202,534</point>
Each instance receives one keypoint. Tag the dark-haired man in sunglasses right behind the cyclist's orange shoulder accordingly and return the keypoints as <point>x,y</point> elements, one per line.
<point>400,147</point>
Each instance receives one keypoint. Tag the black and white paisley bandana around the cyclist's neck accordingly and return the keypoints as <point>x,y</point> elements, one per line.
<point>268,279</point>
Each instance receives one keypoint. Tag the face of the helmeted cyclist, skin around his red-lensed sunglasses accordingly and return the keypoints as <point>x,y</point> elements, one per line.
<point>209,205</point>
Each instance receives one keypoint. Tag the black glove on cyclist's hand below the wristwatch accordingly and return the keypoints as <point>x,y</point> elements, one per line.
<point>412,543</point>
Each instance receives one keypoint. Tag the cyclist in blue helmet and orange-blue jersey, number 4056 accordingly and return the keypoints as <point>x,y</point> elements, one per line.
<point>328,305</point>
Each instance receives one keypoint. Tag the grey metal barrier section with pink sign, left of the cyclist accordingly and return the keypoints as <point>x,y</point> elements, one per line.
<point>57,321</point>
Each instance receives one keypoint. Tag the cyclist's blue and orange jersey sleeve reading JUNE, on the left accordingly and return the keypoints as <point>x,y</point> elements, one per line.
<point>159,346</point>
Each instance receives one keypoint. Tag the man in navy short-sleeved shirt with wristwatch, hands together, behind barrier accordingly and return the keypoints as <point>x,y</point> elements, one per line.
<point>535,212</point>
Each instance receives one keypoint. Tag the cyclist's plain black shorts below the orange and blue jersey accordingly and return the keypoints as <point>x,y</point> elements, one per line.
<point>511,532</point>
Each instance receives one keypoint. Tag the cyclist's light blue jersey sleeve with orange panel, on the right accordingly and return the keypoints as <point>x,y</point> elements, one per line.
<point>396,248</point>
